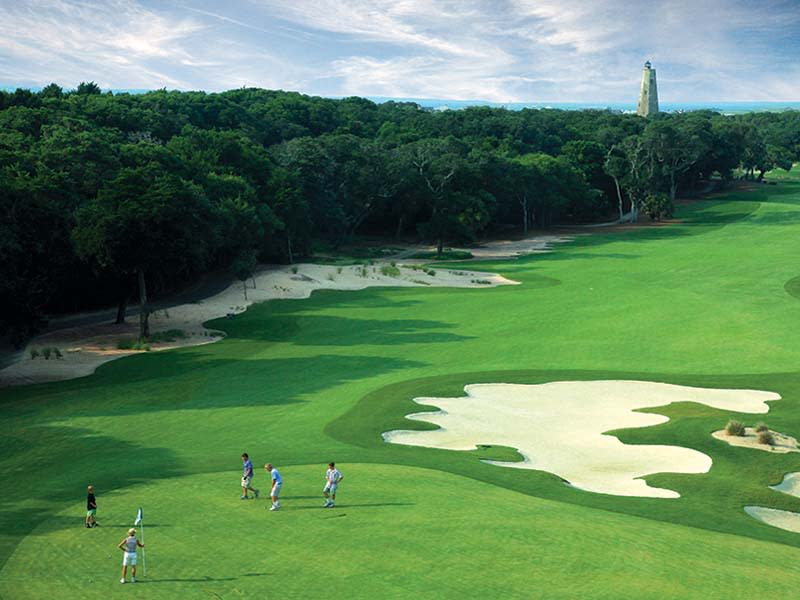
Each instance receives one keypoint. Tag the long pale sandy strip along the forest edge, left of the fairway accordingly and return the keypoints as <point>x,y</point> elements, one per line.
<point>86,348</point>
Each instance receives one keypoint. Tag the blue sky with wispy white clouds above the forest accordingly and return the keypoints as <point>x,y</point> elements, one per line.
<point>498,50</point>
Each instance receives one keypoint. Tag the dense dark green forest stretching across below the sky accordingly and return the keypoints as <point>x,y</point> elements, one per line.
<point>106,196</point>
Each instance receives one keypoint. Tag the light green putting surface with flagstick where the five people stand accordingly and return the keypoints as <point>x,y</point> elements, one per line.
<point>371,545</point>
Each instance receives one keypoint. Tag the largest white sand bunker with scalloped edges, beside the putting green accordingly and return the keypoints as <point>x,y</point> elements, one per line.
<point>558,427</point>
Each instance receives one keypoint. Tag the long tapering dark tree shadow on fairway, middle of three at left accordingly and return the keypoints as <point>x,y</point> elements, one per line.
<point>142,384</point>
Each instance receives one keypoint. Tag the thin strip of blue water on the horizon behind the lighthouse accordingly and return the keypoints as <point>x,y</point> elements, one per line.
<point>722,107</point>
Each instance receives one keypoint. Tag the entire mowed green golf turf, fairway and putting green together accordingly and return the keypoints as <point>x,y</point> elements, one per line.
<point>300,383</point>
